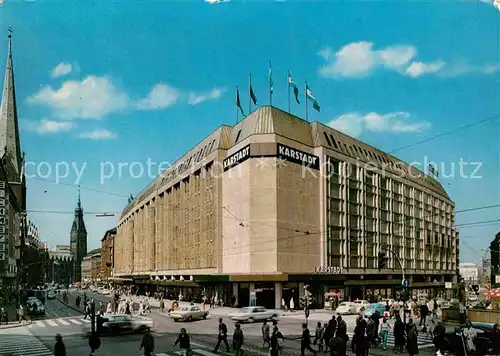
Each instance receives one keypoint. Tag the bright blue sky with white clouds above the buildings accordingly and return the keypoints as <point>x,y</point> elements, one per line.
<point>127,82</point>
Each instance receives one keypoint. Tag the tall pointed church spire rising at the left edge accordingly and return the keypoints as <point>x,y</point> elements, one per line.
<point>9,126</point>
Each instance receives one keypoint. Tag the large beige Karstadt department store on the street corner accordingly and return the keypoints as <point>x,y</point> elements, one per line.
<point>257,210</point>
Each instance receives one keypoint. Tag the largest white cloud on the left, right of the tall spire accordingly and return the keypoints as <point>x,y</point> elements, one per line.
<point>92,98</point>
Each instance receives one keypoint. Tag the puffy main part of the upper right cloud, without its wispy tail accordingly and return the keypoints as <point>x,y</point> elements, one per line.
<point>359,59</point>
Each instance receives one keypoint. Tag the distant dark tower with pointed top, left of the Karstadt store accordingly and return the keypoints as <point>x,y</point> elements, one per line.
<point>78,240</point>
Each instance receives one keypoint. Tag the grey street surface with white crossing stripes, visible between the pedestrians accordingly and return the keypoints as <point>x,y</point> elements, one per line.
<point>68,322</point>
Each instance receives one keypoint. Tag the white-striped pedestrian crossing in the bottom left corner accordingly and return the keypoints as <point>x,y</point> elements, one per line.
<point>21,342</point>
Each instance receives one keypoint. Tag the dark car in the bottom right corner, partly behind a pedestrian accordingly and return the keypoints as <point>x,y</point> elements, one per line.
<point>487,340</point>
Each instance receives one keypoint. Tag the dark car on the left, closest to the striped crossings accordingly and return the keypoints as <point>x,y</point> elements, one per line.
<point>122,323</point>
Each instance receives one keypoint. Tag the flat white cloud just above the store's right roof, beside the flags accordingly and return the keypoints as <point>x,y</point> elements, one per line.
<point>355,124</point>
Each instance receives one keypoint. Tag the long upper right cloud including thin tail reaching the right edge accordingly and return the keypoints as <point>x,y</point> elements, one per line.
<point>360,59</point>
